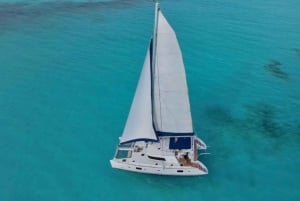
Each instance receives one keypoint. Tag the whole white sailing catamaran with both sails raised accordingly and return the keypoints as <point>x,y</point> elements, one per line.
<point>158,137</point>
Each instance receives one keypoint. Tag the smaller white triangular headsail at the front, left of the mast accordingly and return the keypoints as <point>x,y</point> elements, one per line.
<point>139,122</point>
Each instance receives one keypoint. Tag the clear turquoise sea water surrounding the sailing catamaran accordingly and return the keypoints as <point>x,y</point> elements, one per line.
<point>68,71</point>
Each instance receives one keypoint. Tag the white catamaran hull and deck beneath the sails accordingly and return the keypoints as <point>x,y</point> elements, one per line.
<point>157,158</point>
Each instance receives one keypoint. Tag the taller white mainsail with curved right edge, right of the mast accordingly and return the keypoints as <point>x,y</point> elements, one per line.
<point>171,102</point>
